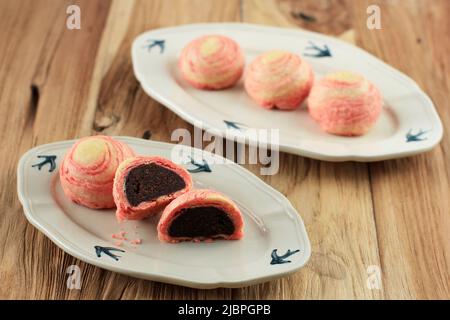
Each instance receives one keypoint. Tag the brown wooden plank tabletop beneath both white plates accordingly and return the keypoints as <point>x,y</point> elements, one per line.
<point>58,84</point>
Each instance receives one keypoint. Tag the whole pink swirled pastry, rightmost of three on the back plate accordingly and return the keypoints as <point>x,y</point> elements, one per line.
<point>344,103</point>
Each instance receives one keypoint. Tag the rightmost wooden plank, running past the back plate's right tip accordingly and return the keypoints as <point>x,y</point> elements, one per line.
<point>411,195</point>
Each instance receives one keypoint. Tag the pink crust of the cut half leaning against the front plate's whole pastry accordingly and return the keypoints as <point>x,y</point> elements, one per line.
<point>125,211</point>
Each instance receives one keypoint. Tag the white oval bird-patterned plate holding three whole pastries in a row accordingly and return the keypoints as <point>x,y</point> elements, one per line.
<point>408,124</point>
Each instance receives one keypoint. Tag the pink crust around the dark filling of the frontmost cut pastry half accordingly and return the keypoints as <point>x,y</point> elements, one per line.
<point>195,198</point>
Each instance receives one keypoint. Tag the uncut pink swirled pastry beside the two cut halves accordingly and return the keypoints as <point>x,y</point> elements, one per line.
<point>87,171</point>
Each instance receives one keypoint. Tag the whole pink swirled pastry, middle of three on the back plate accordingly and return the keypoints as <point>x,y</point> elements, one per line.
<point>279,79</point>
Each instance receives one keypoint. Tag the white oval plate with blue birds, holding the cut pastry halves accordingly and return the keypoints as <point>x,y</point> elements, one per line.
<point>271,223</point>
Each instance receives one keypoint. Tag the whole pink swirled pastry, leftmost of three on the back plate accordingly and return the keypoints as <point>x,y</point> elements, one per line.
<point>212,62</point>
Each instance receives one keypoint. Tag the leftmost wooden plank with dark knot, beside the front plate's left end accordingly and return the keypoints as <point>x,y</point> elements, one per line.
<point>44,76</point>
